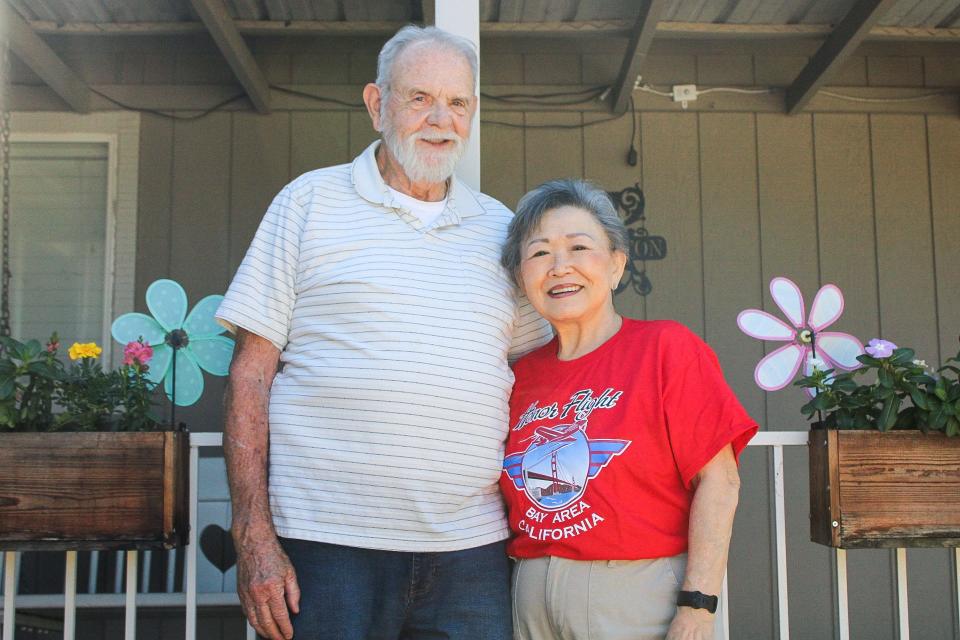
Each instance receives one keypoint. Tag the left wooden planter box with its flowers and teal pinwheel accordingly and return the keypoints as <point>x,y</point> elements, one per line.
<point>85,460</point>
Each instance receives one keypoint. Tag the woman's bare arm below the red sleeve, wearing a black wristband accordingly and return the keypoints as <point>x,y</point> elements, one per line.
<point>716,492</point>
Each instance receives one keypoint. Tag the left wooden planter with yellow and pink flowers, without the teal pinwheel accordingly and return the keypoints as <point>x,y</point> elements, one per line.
<point>84,462</point>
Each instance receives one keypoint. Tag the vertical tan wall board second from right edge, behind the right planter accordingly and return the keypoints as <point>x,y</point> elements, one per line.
<point>908,306</point>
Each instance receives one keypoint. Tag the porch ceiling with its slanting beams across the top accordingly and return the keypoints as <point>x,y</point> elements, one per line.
<point>841,25</point>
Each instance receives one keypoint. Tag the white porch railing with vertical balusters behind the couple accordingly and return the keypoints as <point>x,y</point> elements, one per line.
<point>190,599</point>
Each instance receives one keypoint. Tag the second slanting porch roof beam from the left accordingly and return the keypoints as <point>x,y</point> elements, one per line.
<point>223,29</point>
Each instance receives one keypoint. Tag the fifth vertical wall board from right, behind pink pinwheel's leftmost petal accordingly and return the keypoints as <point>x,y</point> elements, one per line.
<point>731,267</point>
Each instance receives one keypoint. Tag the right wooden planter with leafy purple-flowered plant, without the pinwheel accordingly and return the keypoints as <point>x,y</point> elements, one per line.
<point>884,452</point>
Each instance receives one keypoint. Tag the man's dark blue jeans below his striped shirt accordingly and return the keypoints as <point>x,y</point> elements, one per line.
<point>364,594</point>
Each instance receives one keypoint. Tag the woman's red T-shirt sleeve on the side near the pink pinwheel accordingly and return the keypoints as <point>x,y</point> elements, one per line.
<point>702,413</point>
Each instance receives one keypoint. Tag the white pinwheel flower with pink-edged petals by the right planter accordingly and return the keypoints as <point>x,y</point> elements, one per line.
<point>806,336</point>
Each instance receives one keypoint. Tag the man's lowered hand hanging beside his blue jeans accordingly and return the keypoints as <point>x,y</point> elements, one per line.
<point>267,586</point>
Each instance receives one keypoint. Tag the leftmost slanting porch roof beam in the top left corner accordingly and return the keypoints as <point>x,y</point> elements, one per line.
<point>42,60</point>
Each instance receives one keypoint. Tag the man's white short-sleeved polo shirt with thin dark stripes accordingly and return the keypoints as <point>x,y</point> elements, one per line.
<point>388,417</point>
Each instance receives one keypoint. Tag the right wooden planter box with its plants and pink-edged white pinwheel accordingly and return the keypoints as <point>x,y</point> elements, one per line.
<point>884,456</point>
